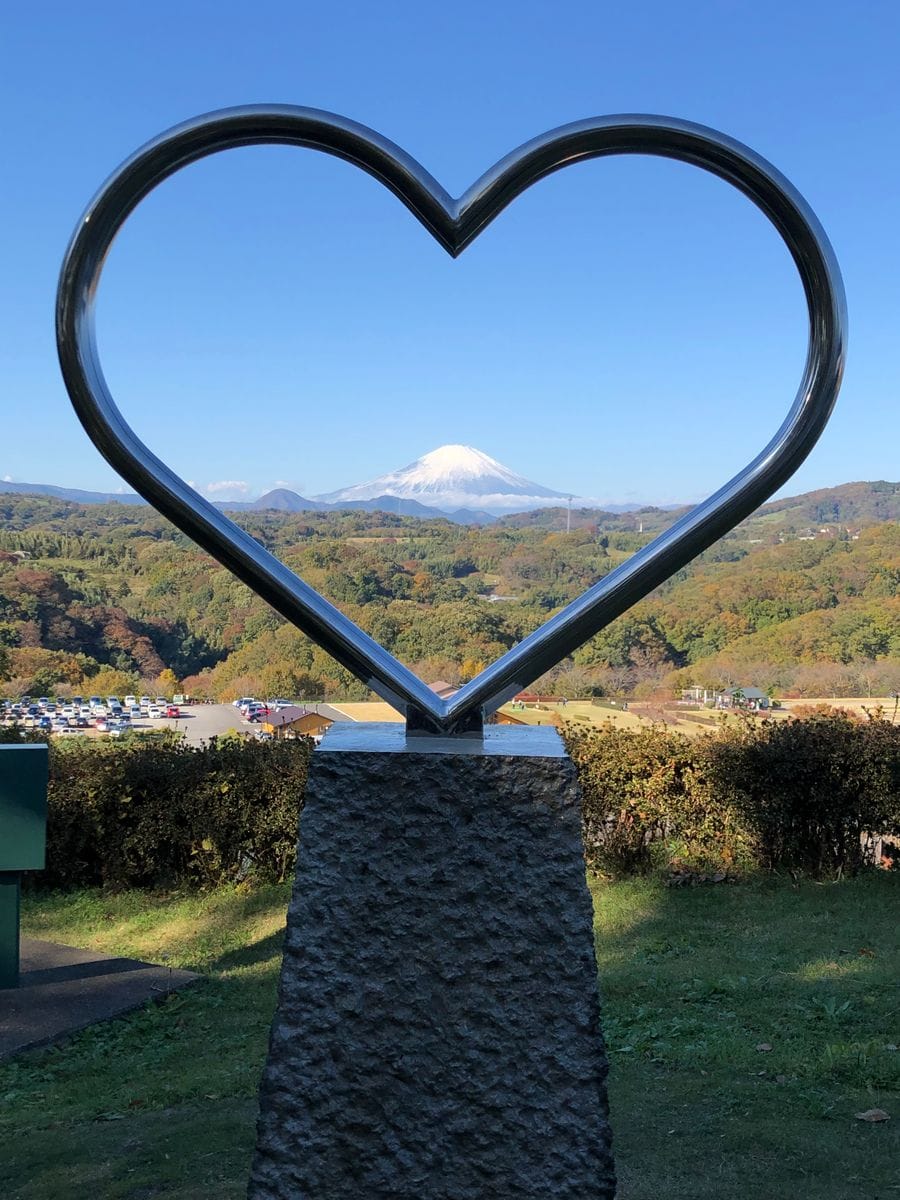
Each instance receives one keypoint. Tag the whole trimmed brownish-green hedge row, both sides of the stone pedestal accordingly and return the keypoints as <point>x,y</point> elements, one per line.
<point>775,796</point>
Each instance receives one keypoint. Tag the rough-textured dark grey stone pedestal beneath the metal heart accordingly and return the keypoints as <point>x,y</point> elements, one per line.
<point>437,1033</point>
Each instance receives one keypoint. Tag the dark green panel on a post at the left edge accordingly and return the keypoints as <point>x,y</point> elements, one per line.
<point>23,807</point>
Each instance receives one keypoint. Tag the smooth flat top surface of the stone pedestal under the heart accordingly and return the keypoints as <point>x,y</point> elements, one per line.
<point>391,737</point>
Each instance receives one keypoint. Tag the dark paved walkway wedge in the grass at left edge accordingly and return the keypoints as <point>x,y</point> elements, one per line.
<point>64,991</point>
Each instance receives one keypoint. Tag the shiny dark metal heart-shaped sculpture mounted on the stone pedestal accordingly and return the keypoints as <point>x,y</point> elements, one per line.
<point>454,224</point>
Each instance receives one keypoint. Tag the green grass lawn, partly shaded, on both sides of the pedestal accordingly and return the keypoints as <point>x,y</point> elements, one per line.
<point>697,985</point>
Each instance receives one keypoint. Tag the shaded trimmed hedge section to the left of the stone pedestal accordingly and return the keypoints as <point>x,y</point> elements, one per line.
<point>154,815</point>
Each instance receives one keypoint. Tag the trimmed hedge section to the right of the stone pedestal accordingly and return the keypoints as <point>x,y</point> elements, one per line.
<point>777,796</point>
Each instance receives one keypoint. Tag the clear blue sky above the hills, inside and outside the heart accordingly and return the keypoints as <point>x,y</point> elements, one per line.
<point>629,331</point>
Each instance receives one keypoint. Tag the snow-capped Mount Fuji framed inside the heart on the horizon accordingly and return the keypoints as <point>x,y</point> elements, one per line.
<point>454,477</point>
